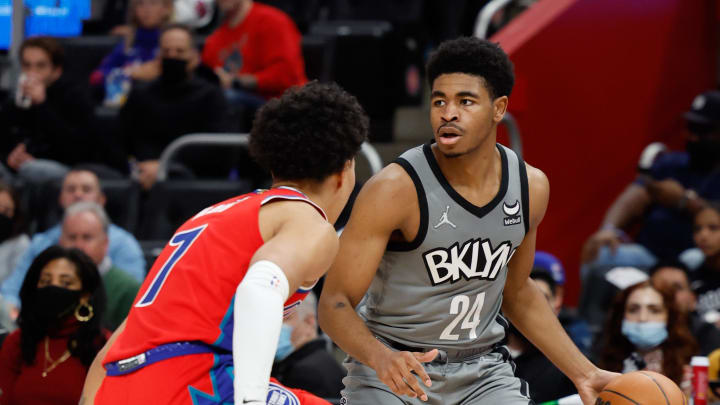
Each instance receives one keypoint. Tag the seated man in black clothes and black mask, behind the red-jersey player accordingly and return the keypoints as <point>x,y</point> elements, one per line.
<point>176,104</point>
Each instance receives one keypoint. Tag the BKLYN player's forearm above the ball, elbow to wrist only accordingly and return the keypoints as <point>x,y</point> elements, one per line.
<point>531,314</point>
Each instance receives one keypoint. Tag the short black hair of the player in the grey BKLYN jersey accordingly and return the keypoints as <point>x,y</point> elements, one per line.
<point>476,57</point>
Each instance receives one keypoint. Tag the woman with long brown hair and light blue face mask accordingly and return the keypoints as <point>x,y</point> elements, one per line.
<point>646,331</point>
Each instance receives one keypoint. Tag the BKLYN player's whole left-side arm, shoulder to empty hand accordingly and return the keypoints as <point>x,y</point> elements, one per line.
<point>383,206</point>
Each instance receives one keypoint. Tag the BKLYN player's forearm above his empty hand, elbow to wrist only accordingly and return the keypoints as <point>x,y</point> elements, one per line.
<point>339,320</point>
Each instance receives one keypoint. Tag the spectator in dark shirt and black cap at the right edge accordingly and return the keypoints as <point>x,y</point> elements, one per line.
<point>664,197</point>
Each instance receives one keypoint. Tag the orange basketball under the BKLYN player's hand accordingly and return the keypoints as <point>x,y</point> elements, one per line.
<point>641,388</point>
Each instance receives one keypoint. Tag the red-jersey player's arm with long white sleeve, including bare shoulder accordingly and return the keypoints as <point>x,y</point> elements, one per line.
<point>299,247</point>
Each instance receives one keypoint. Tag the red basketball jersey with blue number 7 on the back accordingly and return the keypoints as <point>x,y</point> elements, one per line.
<point>189,292</point>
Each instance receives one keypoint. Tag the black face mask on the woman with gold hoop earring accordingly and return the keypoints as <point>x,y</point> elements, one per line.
<point>51,304</point>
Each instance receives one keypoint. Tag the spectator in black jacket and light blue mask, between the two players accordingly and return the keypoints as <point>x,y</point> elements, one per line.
<point>302,359</point>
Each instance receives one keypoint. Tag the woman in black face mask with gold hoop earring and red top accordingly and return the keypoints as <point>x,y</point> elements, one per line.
<point>45,361</point>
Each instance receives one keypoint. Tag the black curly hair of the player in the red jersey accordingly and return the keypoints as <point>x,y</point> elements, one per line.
<point>309,132</point>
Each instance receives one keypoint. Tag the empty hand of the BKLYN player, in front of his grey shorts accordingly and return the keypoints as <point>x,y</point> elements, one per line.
<point>400,371</point>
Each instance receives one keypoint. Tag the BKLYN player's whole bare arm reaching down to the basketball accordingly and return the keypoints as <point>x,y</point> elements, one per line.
<point>530,312</point>
